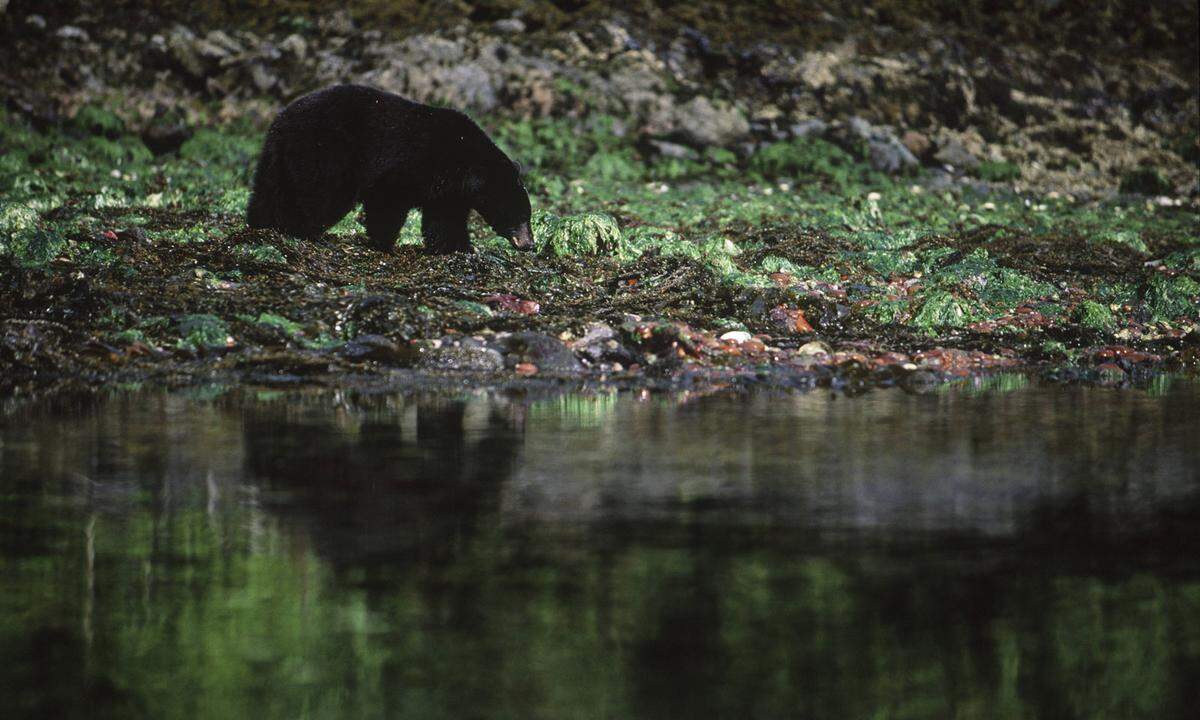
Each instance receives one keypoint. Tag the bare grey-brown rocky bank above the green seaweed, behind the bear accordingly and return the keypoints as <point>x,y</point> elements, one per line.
<point>1040,119</point>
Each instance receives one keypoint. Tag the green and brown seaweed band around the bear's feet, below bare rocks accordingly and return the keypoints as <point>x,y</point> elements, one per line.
<point>707,238</point>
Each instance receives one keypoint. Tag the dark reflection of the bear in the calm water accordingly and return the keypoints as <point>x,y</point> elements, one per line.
<point>404,485</point>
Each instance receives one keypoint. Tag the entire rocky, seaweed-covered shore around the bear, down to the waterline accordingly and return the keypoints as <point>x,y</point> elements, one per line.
<point>1028,211</point>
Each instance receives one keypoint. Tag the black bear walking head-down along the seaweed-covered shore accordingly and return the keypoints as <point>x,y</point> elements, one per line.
<point>346,145</point>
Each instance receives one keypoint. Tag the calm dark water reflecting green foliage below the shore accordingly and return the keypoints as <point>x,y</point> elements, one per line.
<point>993,553</point>
